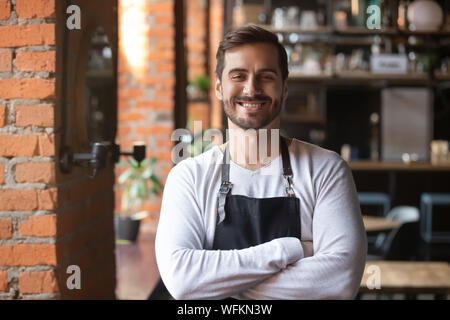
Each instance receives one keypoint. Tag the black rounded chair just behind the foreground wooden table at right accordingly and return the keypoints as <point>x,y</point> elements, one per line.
<point>401,243</point>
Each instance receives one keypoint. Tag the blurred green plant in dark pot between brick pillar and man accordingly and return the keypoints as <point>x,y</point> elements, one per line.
<point>138,182</point>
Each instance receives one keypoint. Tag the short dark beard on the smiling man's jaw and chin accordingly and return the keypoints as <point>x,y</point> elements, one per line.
<point>230,111</point>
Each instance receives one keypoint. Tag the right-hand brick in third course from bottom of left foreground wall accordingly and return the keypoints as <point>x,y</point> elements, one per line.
<point>38,226</point>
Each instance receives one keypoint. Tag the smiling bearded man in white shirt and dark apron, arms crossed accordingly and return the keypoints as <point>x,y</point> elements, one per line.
<point>286,226</point>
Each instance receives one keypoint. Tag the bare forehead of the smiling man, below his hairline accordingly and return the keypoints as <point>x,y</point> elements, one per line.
<point>253,55</point>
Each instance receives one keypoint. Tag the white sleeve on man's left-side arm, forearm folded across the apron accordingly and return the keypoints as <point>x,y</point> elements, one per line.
<point>191,272</point>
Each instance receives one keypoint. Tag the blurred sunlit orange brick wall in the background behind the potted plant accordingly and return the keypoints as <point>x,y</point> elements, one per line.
<point>146,86</point>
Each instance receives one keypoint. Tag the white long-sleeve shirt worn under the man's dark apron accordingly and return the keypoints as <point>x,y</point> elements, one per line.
<point>330,218</point>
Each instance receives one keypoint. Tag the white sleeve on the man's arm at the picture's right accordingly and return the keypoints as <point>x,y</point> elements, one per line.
<point>340,245</point>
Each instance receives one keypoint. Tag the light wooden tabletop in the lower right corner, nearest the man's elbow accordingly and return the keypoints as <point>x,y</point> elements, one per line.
<point>408,277</point>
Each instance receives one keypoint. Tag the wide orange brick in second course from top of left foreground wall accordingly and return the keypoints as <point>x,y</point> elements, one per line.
<point>27,35</point>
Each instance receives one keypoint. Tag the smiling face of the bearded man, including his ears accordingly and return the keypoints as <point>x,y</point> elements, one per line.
<point>252,89</point>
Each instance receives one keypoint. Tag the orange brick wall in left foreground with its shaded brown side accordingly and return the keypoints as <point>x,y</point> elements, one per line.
<point>48,220</point>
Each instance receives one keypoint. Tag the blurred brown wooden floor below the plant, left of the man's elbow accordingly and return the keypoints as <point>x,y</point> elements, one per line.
<point>137,272</point>
